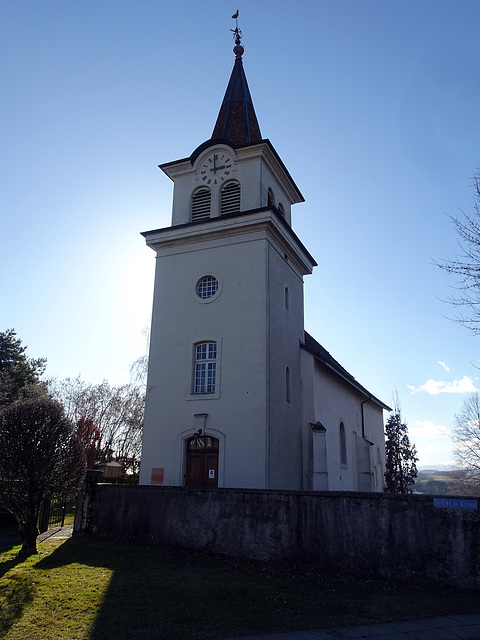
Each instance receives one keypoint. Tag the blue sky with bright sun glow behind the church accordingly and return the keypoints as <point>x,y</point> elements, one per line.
<point>372,105</point>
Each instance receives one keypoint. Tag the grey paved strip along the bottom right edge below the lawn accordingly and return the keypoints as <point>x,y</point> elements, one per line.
<point>448,628</point>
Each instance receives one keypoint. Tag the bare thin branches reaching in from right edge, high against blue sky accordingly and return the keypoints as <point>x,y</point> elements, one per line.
<point>467,265</point>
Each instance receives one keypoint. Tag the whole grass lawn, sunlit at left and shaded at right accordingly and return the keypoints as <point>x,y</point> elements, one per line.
<point>84,588</point>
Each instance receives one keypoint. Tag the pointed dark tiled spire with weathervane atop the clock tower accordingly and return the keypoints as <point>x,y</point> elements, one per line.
<point>236,120</point>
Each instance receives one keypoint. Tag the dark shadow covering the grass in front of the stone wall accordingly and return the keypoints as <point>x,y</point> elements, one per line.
<point>177,594</point>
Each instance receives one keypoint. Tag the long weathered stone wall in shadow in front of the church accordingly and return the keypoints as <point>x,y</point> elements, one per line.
<point>379,535</point>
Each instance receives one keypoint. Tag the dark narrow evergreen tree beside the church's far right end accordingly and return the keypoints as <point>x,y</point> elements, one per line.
<point>401,456</point>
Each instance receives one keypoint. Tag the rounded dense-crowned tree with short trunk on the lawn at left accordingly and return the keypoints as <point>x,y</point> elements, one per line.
<point>41,454</point>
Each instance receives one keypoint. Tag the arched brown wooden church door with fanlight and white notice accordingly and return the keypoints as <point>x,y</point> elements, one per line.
<point>202,462</point>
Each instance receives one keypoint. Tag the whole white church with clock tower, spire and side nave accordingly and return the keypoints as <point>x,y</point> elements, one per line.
<point>238,394</point>
